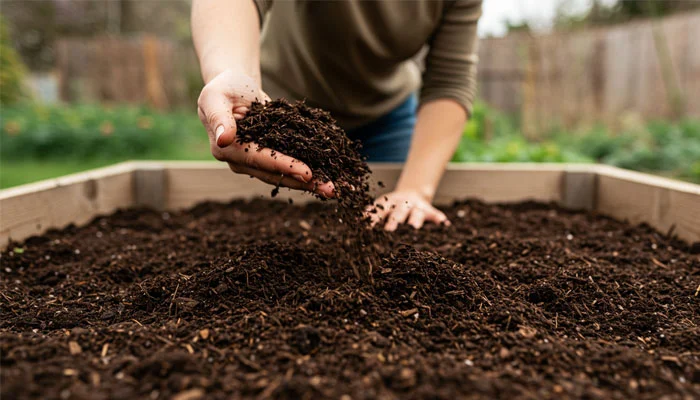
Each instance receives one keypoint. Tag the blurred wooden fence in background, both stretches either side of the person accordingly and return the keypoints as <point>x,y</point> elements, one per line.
<point>648,68</point>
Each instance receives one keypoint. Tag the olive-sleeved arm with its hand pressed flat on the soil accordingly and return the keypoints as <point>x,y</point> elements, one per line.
<point>449,86</point>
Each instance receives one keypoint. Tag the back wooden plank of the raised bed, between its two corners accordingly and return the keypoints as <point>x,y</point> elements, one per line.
<point>192,182</point>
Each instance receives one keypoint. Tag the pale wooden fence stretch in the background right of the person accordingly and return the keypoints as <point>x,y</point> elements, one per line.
<point>650,68</point>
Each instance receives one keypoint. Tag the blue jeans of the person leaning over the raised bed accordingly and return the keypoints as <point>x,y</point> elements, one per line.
<point>388,138</point>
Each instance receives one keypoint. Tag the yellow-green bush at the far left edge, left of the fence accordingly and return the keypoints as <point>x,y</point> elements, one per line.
<point>12,69</point>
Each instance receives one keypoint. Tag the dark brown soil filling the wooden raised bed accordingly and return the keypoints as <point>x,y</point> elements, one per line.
<point>253,300</point>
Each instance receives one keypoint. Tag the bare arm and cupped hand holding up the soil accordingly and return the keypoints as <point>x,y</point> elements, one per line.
<point>226,36</point>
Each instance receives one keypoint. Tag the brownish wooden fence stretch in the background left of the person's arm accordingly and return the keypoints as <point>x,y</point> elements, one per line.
<point>143,70</point>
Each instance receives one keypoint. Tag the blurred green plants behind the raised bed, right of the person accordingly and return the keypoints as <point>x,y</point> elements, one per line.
<point>661,147</point>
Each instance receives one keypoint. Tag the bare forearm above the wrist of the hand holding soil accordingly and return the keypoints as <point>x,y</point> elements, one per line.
<point>226,35</point>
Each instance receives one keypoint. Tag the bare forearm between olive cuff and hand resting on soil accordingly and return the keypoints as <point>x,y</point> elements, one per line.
<point>438,129</point>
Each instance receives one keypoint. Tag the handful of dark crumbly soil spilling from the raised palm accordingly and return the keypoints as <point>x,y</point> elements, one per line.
<point>312,136</point>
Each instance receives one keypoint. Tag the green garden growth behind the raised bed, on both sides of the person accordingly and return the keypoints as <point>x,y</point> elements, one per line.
<point>39,141</point>
